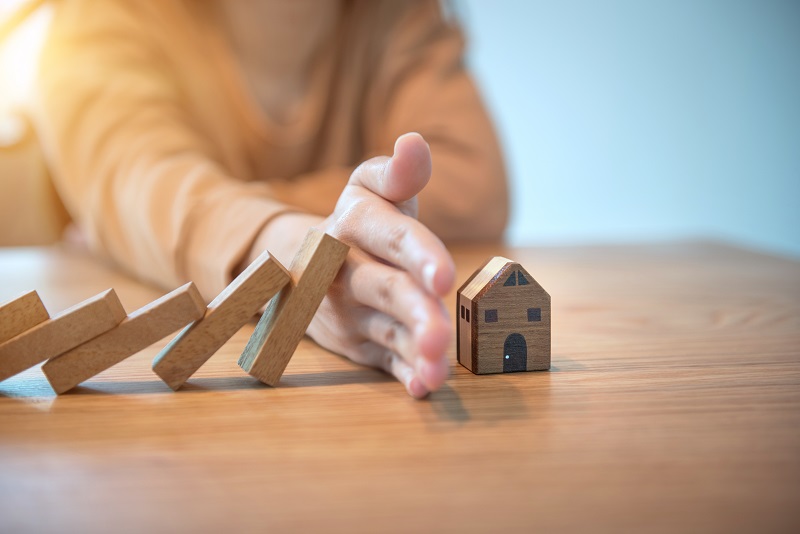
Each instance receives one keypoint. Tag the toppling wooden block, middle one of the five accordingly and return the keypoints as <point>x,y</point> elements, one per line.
<point>138,331</point>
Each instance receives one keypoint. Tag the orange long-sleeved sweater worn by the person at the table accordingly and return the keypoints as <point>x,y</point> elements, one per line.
<point>171,149</point>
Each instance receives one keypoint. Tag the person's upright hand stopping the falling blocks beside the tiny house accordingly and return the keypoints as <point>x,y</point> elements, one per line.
<point>385,308</point>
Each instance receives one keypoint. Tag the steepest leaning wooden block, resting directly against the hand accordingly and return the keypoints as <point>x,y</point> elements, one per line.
<point>287,317</point>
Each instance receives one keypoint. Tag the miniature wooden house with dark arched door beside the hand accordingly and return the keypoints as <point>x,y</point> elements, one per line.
<point>503,320</point>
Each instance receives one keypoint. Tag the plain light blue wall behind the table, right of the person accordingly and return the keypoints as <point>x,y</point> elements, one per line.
<point>627,120</point>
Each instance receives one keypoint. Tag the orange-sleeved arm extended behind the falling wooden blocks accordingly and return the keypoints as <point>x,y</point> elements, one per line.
<point>146,187</point>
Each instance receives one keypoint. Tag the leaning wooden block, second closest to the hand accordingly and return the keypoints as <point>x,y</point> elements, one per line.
<point>226,314</point>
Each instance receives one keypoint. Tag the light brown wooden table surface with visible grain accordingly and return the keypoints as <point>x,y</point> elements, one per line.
<point>673,404</point>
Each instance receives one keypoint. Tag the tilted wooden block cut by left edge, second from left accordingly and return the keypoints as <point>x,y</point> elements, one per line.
<point>64,332</point>
